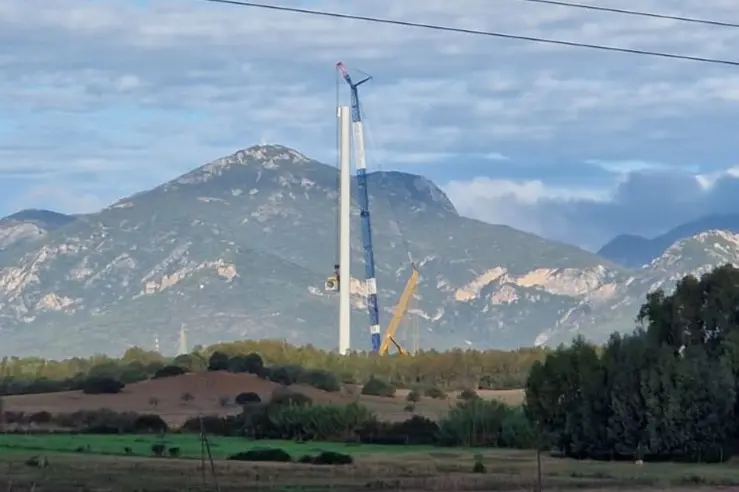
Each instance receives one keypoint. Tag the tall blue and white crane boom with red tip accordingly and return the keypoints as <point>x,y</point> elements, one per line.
<point>363,198</point>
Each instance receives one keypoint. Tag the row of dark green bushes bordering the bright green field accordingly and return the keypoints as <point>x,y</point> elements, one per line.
<point>289,415</point>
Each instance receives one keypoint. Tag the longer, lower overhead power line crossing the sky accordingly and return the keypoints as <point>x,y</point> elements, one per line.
<point>476,32</point>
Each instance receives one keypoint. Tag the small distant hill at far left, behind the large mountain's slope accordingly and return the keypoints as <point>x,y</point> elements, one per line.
<point>29,225</point>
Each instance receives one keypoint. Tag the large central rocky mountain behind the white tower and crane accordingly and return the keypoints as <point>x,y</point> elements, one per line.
<point>240,248</point>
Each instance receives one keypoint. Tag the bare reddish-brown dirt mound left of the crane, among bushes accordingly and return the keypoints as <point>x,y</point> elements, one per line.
<point>166,397</point>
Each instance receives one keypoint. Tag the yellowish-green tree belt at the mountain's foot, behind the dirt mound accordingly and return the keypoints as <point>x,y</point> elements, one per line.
<point>450,370</point>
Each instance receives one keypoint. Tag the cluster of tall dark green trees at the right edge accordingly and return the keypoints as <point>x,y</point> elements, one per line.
<point>668,391</point>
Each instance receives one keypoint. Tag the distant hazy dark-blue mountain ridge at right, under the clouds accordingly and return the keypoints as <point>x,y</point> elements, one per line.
<point>634,251</point>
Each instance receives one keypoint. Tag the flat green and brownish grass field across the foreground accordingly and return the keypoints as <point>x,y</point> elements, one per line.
<point>376,468</point>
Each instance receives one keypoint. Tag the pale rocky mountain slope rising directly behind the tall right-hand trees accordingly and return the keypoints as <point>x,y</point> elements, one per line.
<point>614,306</point>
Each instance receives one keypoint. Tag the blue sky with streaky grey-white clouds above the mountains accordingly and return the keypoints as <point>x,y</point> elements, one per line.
<point>101,99</point>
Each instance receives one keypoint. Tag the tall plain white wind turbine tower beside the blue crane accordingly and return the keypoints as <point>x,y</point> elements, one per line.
<point>345,276</point>
